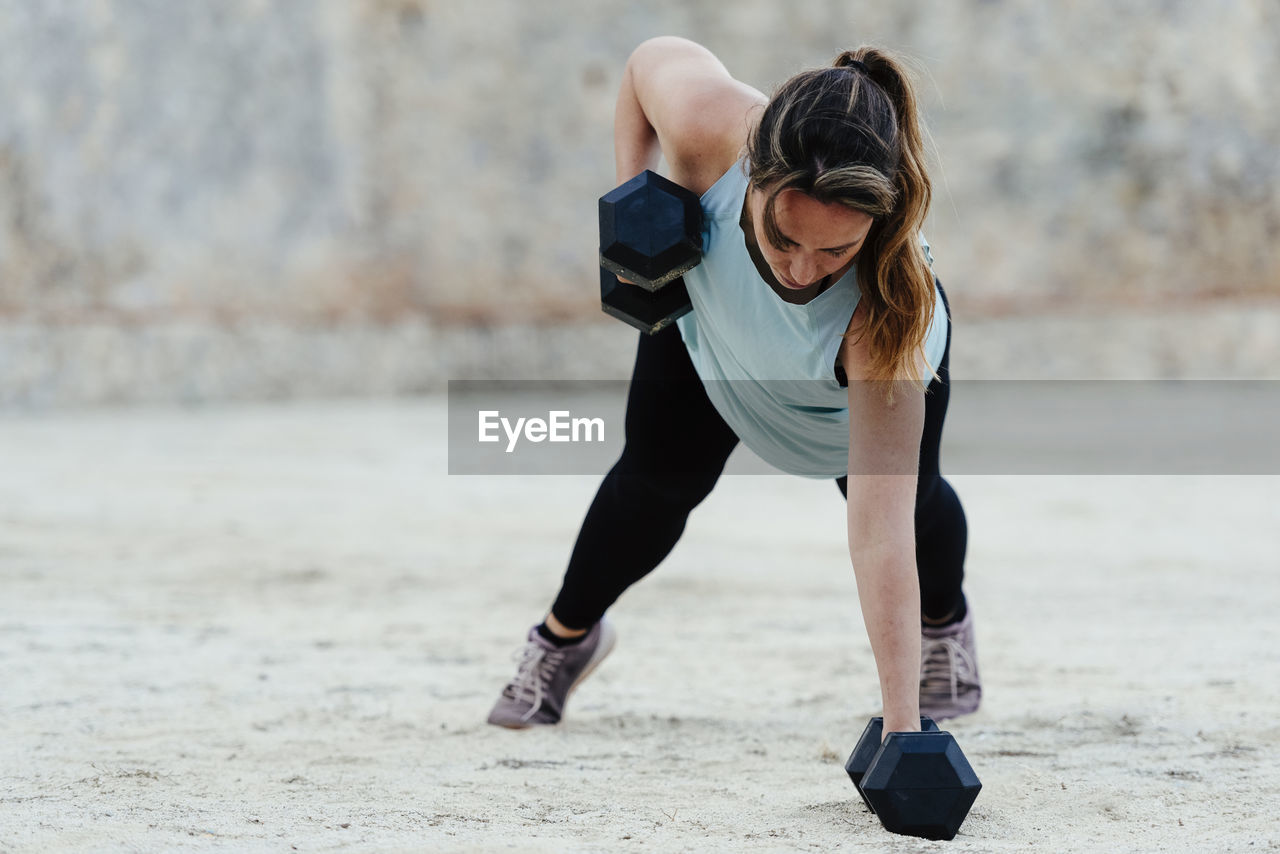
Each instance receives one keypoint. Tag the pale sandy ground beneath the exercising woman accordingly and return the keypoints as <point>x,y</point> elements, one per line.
<point>282,628</point>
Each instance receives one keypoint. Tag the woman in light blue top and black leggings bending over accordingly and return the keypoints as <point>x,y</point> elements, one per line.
<point>820,337</point>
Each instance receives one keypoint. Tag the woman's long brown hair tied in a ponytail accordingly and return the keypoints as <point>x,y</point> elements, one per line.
<point>852,135</point>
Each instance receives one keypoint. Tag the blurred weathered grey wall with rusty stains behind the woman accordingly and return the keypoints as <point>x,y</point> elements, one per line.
<point>277,199</point>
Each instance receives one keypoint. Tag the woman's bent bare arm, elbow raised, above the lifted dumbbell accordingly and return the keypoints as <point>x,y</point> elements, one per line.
<point>678,102</point>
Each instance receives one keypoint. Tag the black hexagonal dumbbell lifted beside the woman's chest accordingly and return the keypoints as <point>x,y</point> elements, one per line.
<point>651,235</point>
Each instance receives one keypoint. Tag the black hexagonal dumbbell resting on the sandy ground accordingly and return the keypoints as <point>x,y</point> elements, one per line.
<point>918,784</point>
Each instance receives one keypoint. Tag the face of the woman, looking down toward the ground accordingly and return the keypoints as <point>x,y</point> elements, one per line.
<point>822,239</point>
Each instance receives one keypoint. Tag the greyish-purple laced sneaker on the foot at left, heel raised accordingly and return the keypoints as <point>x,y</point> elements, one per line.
<point>548,675</point>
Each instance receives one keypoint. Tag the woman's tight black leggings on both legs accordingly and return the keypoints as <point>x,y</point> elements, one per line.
<point>676,447</point>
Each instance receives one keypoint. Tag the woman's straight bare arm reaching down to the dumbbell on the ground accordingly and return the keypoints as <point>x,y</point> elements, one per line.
<point>884,462</point>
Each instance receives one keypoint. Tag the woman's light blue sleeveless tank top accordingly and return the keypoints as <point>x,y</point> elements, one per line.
<point>769,366</point>
